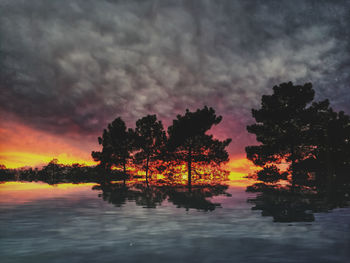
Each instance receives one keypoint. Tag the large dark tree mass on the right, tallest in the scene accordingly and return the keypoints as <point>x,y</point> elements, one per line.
<point>308,135</point>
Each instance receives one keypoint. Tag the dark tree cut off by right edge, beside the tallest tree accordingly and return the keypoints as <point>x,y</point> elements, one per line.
<point>330,141</point>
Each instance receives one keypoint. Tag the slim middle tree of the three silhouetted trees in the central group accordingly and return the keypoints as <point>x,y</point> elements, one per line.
<point>150,141</point>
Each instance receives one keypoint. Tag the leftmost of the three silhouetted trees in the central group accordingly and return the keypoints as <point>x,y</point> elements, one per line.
<point>117,144</point>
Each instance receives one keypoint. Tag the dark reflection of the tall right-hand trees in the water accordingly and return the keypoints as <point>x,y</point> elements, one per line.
<point>299,205</point>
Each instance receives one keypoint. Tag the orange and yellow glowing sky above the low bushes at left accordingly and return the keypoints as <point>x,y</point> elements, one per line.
<point>23,146</point>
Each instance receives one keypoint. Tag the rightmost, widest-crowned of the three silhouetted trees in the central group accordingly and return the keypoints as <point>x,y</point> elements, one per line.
<point>188,141</point>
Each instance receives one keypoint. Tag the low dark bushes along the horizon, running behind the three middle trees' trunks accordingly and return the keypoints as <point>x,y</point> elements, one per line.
<point>55,173</point>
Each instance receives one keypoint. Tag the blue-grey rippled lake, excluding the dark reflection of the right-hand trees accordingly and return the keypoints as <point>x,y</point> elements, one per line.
<point>89,223</point>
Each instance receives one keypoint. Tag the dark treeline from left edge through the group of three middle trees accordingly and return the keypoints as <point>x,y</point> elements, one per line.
<point>185,147</point>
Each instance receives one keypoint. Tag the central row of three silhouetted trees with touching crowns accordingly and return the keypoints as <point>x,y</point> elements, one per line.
<point>148,145</point>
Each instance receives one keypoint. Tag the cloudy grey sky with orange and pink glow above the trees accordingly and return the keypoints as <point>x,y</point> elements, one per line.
<point>68,68</point>
